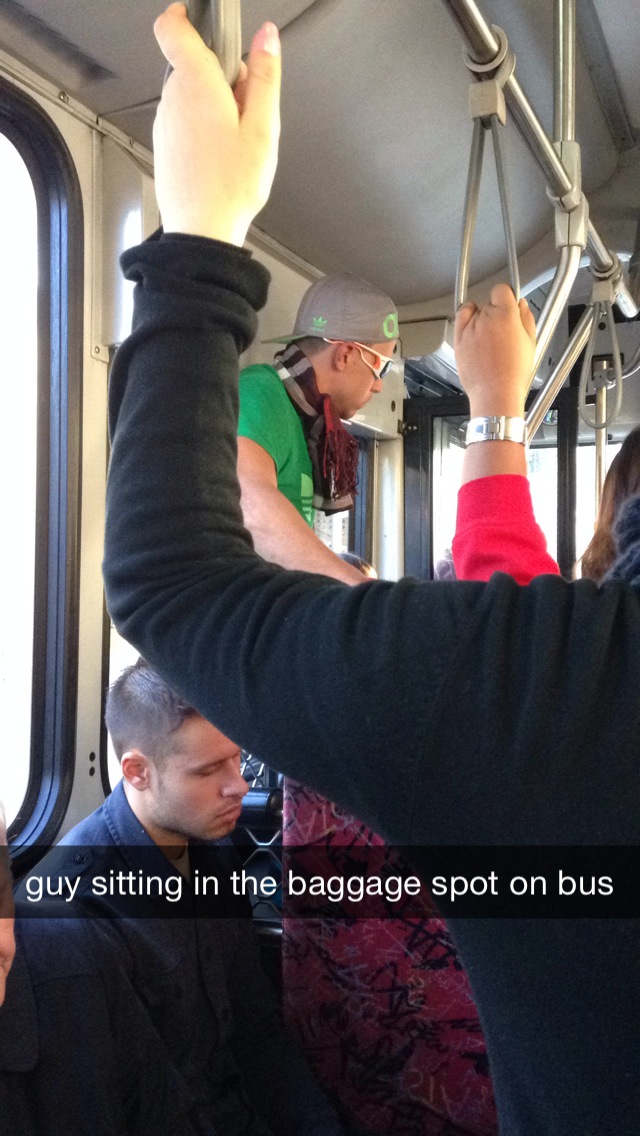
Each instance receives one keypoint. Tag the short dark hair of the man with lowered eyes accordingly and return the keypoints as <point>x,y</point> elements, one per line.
<point>144,713</point>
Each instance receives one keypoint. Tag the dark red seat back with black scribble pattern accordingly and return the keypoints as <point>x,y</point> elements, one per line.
<point>383,1008</point>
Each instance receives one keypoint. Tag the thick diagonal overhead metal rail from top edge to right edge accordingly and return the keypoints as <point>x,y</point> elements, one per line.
<point>484,46</point>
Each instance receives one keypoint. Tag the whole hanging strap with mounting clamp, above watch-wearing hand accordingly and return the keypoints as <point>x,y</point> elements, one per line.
<point>488,111</point>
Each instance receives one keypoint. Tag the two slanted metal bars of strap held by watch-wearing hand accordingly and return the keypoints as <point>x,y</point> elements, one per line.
<point>471,208</point>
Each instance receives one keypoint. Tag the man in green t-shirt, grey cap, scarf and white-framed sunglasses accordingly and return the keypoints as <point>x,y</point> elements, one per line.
<point>294,454</point>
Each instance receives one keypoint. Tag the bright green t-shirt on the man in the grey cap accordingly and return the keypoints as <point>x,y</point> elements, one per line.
<point>269,419</point>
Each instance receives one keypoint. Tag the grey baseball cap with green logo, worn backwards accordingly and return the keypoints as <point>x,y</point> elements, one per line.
<point>344,307</point>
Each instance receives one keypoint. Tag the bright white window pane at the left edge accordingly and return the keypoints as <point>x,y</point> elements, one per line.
<point>19,437</point>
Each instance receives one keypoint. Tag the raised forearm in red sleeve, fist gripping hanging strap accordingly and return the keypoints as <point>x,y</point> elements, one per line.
<point>496,529</point>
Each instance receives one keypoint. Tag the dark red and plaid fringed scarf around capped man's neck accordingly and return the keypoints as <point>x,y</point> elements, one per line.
<point>334,452</point>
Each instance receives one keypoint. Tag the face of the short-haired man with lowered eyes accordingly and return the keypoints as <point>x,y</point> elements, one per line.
<point>196,791</point>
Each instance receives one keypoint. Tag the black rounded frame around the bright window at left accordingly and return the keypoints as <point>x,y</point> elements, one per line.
<point>61,266</point>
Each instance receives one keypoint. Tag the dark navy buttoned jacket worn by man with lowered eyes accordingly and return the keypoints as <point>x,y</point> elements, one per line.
<point>193,970</point>
